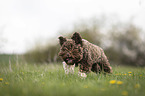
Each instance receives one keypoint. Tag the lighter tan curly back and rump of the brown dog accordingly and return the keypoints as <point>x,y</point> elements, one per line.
<point>95,55</point>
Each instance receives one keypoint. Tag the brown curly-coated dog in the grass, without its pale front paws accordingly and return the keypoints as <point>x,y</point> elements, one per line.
<point>90,57</point>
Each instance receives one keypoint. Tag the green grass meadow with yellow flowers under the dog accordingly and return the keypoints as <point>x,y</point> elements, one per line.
<point>50,80</point>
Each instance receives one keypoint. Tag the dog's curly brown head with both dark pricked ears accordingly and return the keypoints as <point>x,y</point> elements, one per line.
<point>71,50</point>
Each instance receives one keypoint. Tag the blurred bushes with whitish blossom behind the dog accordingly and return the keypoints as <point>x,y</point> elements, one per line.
<point>123,43</point>
